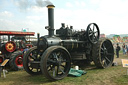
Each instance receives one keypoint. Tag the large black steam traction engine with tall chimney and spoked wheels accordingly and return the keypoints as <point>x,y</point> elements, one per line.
<point>54,54</point>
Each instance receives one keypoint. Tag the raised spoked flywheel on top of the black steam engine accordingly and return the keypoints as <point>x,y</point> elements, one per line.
<point>93,33</point>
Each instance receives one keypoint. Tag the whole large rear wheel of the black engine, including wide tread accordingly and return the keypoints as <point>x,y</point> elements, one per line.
<point>103,53</point>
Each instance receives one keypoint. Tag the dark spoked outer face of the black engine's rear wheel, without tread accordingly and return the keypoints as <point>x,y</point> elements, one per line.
<point>106,53</point>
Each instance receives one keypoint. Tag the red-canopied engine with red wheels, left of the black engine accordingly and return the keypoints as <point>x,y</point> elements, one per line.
<point>12,44</point>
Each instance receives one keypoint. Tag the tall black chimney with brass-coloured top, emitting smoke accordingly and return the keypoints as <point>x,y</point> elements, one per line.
<point>51,19</point>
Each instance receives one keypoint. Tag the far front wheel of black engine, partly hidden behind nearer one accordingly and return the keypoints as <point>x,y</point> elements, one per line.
<point>31,61</point>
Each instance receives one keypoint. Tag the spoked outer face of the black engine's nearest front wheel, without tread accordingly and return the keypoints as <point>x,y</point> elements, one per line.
<point>57,64</point>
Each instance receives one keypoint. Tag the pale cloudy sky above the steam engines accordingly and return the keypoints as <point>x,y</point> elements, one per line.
<point>110,15</point>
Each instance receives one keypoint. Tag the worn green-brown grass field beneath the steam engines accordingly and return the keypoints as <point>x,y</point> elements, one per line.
<point>115,75</point>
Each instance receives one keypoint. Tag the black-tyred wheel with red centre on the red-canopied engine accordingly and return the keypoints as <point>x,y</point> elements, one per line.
<point>16,60</point>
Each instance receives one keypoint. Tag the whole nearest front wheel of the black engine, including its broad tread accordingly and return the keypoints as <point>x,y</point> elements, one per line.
<point>55,63</point>
